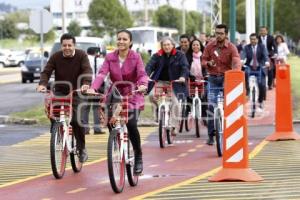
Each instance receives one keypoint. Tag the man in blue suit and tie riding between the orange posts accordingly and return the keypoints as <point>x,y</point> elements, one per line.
<point>255,57</point>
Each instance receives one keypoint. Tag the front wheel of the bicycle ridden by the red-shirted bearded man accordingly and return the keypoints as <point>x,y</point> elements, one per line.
<point>219,132</point>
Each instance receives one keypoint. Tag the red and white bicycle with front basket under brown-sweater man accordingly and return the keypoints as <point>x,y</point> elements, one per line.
<point>62,142</point>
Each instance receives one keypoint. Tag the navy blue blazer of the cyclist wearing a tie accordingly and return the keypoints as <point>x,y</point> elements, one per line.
<point>261,54</point>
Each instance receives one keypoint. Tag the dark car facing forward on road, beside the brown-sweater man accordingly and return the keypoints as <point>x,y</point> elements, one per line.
<point>31,69</point>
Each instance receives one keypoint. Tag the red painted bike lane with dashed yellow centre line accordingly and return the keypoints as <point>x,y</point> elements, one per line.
<point>187,158</point>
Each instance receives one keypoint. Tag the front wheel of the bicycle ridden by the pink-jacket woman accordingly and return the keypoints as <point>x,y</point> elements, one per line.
<point>116,164</point>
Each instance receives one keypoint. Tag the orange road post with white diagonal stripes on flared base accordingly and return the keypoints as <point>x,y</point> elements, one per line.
<point>235,145</point>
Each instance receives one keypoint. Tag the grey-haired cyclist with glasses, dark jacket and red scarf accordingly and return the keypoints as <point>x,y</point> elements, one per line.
<point>169,64</point>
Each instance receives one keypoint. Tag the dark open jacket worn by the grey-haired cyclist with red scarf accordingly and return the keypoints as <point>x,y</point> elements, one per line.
<point>178,68</point>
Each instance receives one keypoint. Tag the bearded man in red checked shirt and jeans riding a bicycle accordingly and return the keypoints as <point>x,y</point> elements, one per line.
<point>219,56</point>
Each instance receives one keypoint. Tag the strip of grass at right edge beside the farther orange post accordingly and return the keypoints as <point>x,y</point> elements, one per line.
<point>294,62</point>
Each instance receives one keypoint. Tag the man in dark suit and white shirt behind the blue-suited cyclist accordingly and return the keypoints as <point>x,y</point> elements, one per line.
<point>270,44</point>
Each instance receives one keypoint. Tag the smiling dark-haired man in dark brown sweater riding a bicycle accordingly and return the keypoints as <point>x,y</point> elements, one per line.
<point>72,67</point>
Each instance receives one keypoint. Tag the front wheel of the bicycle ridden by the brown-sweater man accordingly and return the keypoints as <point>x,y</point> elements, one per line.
<point>58,150</point>
